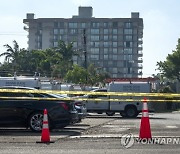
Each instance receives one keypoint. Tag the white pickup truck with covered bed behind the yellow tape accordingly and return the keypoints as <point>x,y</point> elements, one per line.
<point>126,109</point>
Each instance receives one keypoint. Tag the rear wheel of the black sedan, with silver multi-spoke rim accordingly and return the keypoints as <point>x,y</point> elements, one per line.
<point>36,121</point>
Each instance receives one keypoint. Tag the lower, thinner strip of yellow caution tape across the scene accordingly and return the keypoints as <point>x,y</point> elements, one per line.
<point>88,99</point>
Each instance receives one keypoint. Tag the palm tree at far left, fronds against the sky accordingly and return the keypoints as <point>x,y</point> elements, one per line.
<point>11,54</point>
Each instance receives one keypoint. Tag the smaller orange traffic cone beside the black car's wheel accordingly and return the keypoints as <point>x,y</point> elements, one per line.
<point>45,135</point>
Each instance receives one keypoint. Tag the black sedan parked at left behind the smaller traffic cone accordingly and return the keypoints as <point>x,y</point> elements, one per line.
<point>29,112</point>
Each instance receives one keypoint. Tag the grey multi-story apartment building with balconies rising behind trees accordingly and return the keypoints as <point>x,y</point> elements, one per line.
<point>113,45</point>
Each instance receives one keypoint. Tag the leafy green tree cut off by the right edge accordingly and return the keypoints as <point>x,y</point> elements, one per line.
<point>170,68</point>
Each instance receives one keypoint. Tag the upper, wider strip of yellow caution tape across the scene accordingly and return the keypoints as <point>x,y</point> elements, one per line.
<point>135,94</point>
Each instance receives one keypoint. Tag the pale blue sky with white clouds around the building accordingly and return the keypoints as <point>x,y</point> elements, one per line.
<point>161,22</point>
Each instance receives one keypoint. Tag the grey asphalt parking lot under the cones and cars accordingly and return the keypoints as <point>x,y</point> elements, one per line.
<point>95,134</point>
